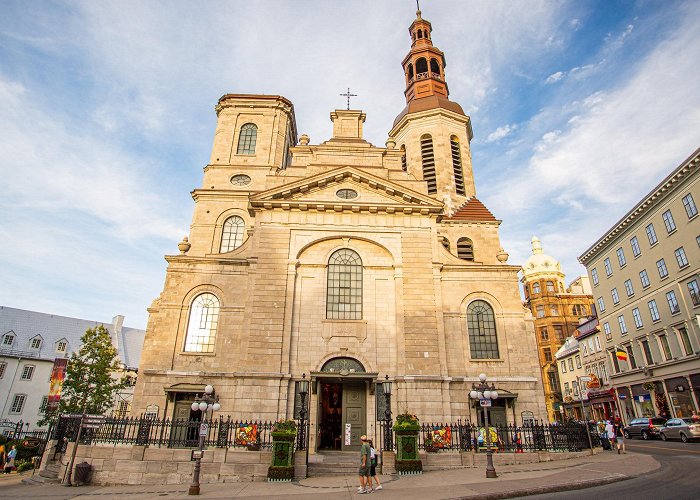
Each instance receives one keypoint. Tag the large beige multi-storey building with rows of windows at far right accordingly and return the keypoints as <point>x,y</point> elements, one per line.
<point>645,279</point>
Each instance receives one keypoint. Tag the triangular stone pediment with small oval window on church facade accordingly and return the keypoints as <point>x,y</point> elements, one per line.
<point>367,193</point>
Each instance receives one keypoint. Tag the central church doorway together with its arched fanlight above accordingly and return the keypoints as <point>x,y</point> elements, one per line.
<point>342,404</point>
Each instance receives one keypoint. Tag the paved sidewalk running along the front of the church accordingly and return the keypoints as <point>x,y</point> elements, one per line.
<point>513,480</point>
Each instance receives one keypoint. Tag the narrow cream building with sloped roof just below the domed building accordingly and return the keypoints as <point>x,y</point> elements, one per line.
<point>570,369</point>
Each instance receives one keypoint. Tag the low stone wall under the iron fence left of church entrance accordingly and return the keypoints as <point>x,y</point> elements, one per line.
<point>144,465</point>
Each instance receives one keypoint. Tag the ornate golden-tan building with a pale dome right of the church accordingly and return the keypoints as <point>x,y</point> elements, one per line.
<point>557,312</point>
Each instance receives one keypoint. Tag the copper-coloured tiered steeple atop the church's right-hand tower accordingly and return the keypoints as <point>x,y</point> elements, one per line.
<point>424,66</point>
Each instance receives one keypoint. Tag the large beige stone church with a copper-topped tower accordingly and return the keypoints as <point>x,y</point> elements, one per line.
<point>344,263</point>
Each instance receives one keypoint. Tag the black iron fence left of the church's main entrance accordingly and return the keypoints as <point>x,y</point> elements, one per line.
<point>172,433</point>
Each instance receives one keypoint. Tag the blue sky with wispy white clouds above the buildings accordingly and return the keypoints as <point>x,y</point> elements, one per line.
<point>579,108</point>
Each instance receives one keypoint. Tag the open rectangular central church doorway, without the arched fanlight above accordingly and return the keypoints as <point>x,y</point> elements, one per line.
<point>342,415</point>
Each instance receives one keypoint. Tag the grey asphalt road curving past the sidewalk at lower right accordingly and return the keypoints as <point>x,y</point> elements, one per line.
<point>678,478</point>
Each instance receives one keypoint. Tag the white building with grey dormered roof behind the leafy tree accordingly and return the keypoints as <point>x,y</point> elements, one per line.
<point>31,341</point>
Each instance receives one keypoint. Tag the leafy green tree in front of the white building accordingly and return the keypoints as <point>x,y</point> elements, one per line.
<point>92,377</point>
